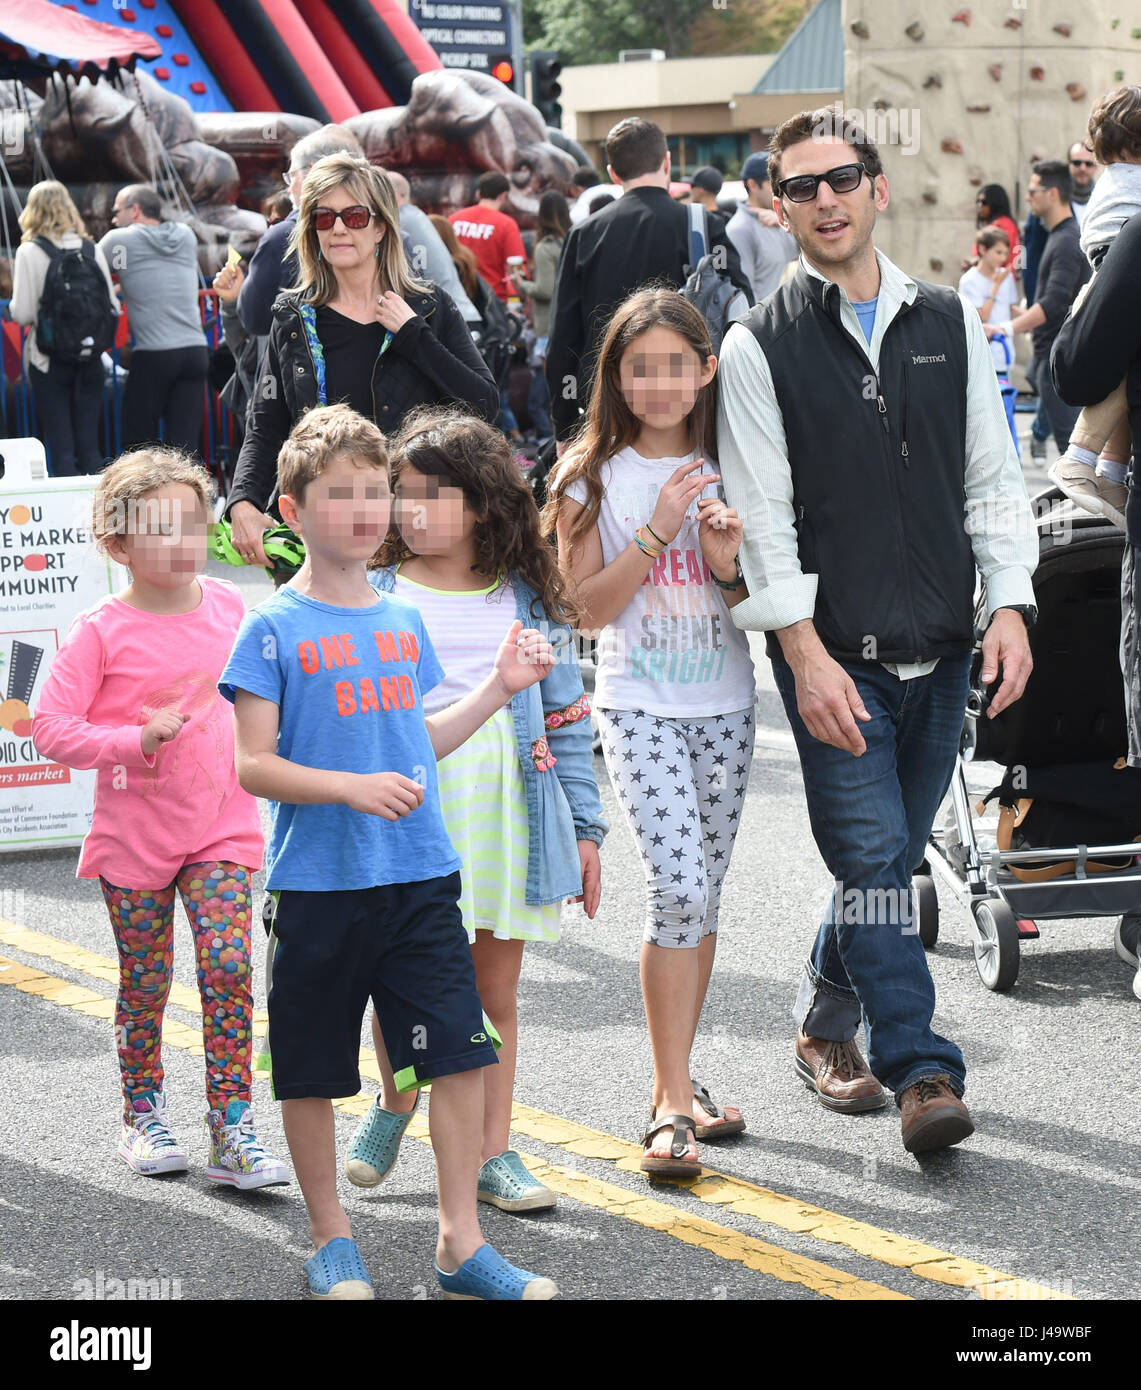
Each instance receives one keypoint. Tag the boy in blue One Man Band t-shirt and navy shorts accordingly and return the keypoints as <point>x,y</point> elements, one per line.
<point>327,680</point>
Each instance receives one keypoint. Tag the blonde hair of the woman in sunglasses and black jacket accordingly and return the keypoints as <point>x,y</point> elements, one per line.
<point>370,186</point>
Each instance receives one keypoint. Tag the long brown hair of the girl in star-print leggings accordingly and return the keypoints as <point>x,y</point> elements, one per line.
<point>611,425</point>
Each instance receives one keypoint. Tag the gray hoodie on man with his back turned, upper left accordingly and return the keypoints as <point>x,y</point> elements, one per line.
<point>158,269</point>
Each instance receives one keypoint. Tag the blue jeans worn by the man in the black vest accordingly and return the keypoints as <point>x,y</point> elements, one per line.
<point>871,819</point>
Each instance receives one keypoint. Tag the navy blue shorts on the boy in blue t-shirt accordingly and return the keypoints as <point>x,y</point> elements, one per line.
<point>405,947</point>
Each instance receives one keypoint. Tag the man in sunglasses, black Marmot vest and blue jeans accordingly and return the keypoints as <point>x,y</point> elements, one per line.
<point>864,441</point>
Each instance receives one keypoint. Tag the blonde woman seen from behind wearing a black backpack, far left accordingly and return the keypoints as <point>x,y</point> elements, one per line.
<point>69,394</point>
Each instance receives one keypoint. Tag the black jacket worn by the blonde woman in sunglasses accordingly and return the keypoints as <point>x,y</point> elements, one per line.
<point>432,361</point>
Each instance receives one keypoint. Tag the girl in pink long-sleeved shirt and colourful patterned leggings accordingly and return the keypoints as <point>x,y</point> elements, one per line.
<point>133,693</point>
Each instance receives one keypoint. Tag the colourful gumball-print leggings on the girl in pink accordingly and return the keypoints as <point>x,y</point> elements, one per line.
<point>217,899</point>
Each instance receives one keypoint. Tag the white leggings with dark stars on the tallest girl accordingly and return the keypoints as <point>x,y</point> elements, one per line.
<point>682,785</point>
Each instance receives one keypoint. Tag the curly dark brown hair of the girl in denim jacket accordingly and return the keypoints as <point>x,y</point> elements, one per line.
<point>469,454</point>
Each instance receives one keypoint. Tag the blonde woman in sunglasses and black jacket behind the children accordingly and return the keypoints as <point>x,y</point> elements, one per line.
<point>359,327</point>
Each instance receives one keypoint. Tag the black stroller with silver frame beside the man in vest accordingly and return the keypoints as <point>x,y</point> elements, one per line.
<point>1069,808</point>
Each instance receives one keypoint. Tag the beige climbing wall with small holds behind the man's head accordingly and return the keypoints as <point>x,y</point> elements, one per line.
<point>979,92</point>
